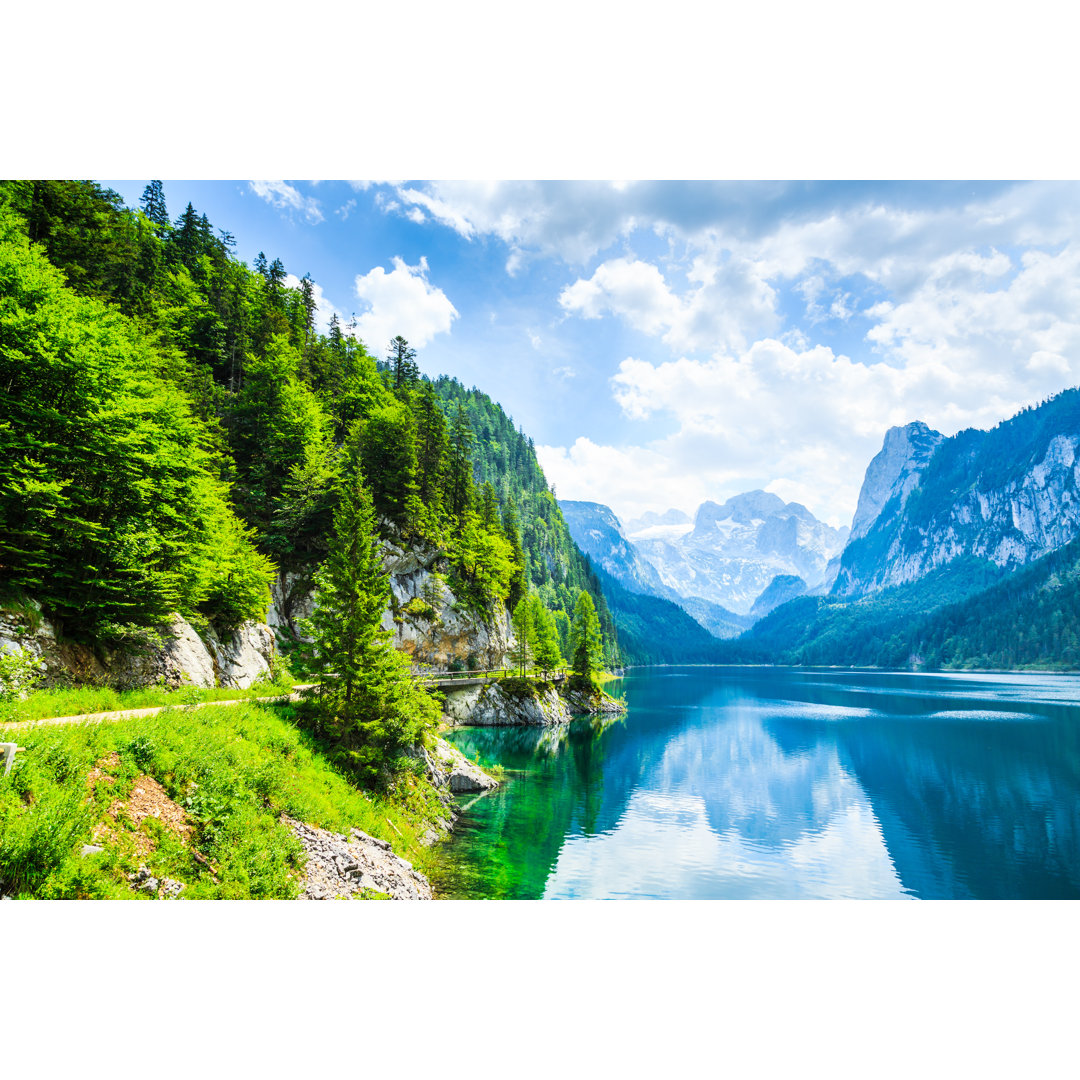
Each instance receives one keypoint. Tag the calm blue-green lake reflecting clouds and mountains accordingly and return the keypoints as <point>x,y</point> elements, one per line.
<point>763,784</point>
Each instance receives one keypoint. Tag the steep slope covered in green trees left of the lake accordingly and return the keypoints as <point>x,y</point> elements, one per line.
<point>173,430</point>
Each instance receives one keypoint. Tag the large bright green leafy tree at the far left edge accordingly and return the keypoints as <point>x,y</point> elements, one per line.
<point>111,506</point>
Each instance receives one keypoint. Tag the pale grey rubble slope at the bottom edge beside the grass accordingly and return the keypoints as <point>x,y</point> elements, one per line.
<point>344,868</point>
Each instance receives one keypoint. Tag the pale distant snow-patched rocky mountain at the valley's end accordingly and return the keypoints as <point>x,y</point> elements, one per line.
<point>733,551</point>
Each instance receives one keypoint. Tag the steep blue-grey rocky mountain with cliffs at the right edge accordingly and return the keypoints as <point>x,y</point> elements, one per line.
<point>1008,496</point>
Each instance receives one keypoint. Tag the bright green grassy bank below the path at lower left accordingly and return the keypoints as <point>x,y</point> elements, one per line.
<point>234,771</point>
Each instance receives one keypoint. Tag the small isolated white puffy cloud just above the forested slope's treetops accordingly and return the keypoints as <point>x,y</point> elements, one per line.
<point>402,302</point>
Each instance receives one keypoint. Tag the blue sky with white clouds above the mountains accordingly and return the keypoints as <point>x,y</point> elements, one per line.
<point>667,343</point>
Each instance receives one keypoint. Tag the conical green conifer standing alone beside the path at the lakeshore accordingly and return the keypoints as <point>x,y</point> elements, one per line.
<point>368,700</point>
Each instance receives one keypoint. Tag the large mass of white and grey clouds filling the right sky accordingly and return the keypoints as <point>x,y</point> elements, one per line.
<point>958,305</point>
